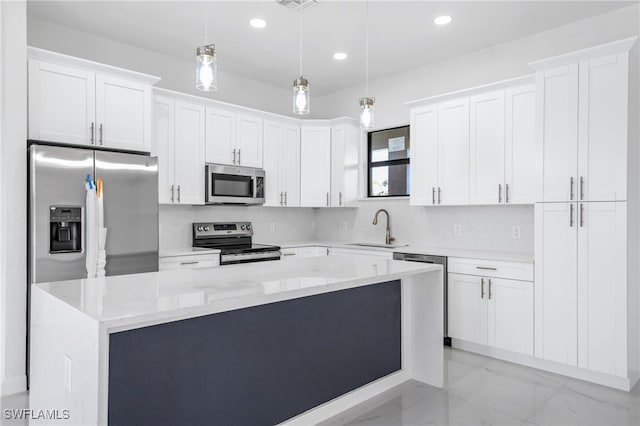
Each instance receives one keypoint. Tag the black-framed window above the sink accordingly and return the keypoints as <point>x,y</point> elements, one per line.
<point>388,166</point>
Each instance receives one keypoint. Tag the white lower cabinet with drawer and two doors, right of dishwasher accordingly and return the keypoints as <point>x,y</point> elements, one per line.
<point>488,310</point>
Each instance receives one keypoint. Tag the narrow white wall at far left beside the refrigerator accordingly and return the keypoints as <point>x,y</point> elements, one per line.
<point>13,202</point>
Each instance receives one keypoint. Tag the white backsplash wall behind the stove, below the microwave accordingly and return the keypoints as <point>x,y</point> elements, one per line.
<point>291,224</point>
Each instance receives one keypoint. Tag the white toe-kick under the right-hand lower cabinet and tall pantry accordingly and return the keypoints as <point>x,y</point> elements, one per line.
<point>622,383</point>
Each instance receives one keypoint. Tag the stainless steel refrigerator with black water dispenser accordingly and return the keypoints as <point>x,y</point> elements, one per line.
<point>57,219</point>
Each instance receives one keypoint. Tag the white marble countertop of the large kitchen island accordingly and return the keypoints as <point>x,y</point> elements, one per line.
<point>131,301</point>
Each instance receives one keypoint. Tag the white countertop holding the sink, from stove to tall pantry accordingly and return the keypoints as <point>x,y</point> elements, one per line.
<point>505,256</point>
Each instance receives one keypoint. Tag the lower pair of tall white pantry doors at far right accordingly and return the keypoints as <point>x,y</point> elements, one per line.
<point>581,285</point>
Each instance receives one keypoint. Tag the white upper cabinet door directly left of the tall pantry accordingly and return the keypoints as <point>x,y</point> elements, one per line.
<point>520,169</point>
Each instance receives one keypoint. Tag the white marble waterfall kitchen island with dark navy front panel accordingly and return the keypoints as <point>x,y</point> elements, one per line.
<point>264,343</point>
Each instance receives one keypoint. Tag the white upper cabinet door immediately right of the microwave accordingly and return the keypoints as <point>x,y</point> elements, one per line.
<point>271,163</point>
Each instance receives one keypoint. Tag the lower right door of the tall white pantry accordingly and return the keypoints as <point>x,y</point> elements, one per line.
<point>602,287</point>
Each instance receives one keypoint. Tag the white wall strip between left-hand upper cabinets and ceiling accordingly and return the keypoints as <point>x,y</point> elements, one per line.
<point>176,74</point>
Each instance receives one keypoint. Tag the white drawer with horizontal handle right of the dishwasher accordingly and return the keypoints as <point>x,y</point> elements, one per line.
<point>491,268</point>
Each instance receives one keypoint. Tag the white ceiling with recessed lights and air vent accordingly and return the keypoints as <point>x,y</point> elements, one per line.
<point>402,33</point>
